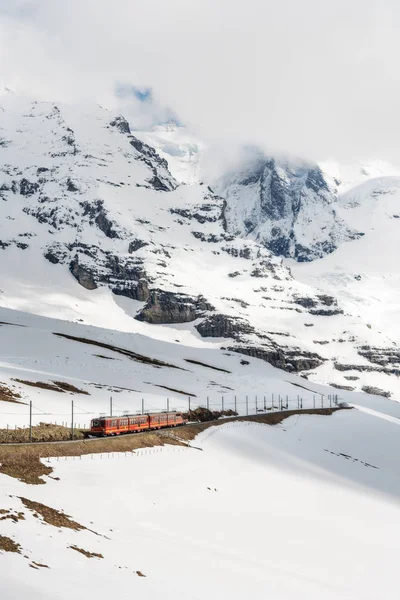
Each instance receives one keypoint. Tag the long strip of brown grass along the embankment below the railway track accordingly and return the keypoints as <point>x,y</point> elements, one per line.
<point>24,462</point>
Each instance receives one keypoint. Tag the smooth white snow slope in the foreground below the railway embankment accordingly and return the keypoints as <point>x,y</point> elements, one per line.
<point>308,509</point>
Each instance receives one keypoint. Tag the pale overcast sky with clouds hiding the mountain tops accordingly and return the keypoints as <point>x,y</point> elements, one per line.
<point>317,78</point>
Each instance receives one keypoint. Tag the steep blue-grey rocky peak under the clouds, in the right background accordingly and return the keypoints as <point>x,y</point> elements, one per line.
<point>289,207</point>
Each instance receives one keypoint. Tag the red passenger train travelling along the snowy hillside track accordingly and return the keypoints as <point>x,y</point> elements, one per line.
<point>102,426</point>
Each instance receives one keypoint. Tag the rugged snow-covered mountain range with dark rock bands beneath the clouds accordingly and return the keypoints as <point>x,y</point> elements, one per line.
<point>95,228</point>
